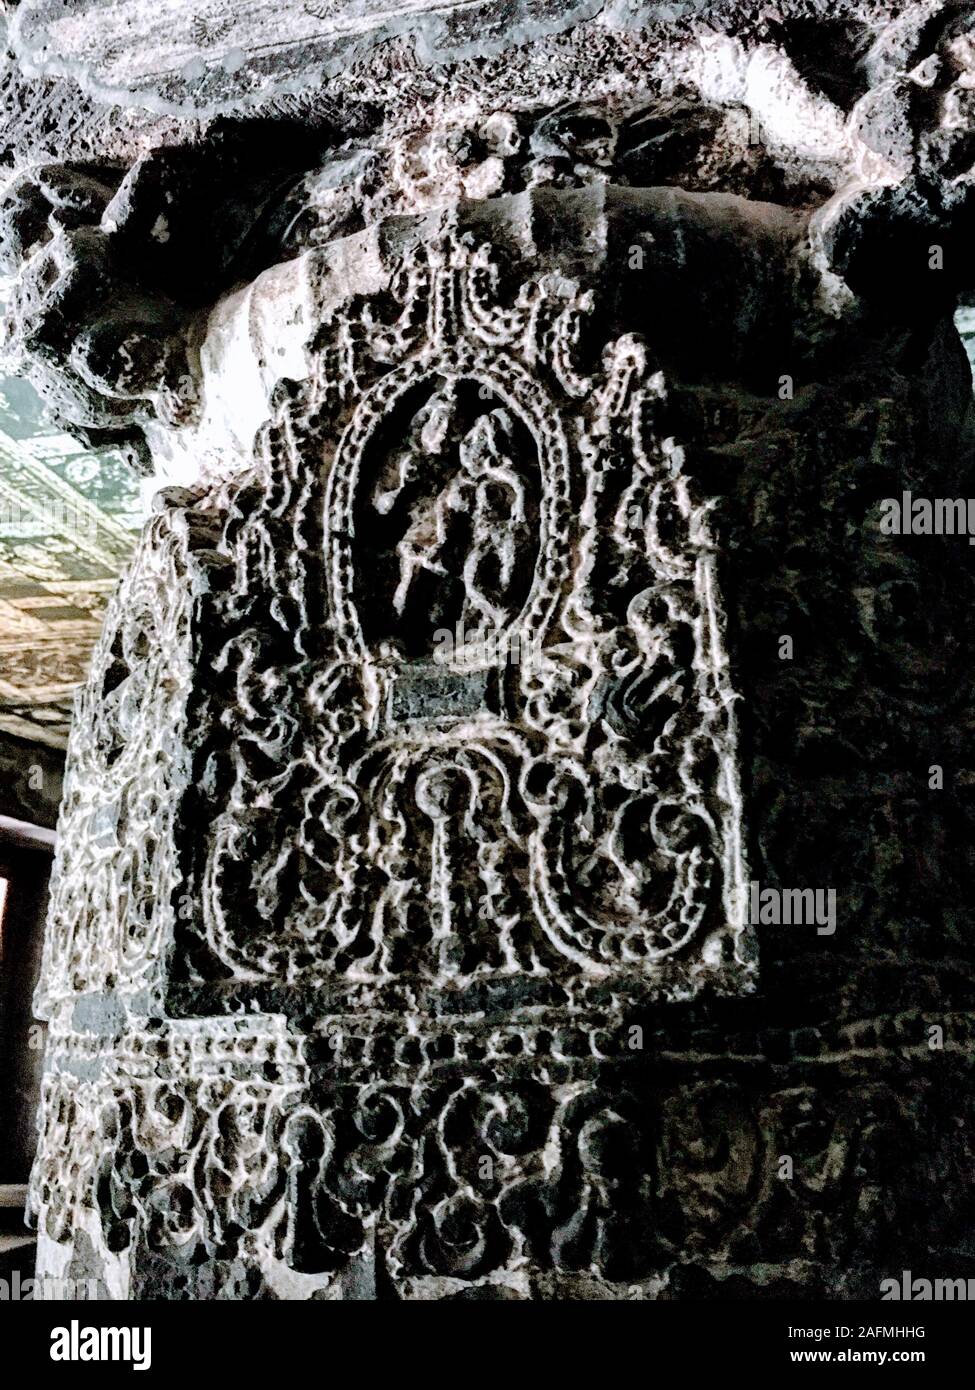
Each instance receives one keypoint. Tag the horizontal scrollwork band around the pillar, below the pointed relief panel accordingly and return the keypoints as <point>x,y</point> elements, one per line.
<point>225,1163</point>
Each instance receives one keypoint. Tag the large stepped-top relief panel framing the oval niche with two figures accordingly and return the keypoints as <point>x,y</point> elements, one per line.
<point>558,778</point>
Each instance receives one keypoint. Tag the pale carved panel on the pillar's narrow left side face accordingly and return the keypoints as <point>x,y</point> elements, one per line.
<point>116,867</point>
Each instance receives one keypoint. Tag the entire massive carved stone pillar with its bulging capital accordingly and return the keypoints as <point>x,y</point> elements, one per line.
<point>401,940</point>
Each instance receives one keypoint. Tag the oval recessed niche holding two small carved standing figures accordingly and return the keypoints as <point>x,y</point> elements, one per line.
<point>446,522</point>
